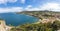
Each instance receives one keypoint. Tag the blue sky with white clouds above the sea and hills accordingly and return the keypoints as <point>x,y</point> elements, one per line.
<point>28,5</point>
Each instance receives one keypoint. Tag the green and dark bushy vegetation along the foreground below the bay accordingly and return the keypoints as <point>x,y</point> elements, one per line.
<point>38,27</point>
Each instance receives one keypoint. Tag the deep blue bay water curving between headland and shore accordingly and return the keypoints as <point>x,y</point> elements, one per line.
<point>17,19</point>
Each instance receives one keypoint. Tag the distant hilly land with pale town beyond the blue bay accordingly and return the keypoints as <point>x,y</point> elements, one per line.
<point>45,16</point>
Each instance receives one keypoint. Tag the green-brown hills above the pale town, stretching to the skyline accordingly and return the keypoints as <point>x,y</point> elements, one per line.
<point>41,14</point>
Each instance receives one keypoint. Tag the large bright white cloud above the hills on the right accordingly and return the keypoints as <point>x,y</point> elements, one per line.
<point>50,6</point>
